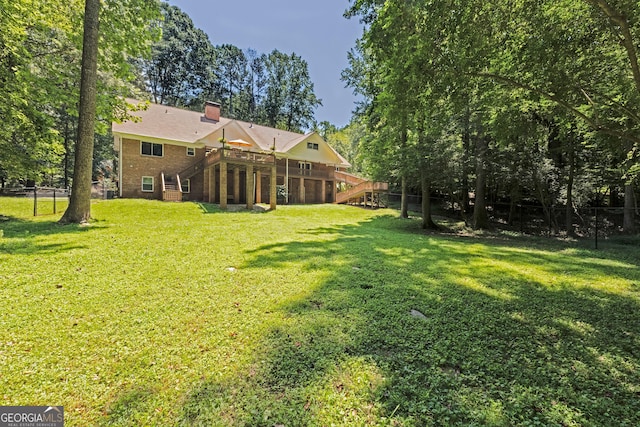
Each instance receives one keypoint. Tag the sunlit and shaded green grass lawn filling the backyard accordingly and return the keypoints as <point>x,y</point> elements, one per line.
<point>179,314</point>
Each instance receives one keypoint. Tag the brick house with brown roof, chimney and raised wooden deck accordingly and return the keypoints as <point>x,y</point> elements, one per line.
<point>173,154</point>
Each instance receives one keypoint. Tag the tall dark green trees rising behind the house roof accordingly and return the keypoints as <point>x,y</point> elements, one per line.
<point>186,70</point>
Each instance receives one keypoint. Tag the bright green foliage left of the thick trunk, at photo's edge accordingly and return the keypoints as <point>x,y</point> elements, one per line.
<point>29,145</point>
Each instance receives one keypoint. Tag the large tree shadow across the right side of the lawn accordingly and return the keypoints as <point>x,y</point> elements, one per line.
<point>508,335</point>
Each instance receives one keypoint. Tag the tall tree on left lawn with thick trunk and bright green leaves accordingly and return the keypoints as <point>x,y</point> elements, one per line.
<point>123,26</point>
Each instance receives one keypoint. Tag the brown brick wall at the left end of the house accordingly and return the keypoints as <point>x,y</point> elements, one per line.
<point>174,160</point>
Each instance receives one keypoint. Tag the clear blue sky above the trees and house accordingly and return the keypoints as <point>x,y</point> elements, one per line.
<point>315,30</point>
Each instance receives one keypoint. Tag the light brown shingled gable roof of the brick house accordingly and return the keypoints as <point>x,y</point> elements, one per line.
<point>171,124</point>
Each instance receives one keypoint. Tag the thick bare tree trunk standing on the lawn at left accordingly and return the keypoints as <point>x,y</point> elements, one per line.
<point>79,209</point>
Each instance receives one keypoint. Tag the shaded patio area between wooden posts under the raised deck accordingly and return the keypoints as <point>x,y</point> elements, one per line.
<point>224,162</point>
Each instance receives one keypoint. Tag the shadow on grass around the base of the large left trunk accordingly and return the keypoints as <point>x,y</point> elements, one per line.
<point>19,236</point>
